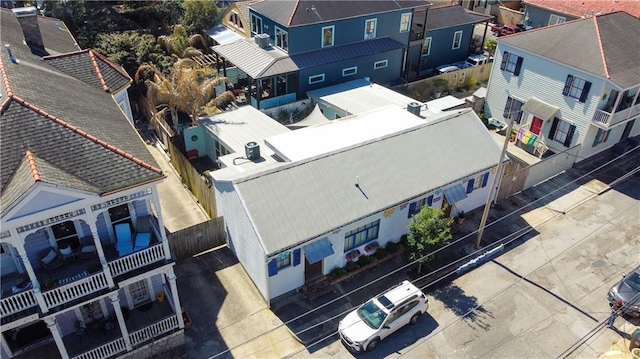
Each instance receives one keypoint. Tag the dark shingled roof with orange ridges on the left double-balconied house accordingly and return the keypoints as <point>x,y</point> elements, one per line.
<point>64,122</point>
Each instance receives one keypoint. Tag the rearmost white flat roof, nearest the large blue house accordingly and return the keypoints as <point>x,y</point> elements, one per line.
<point>359,96</point>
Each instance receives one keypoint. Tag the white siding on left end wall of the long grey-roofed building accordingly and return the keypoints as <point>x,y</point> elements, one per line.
<point>241,235</point>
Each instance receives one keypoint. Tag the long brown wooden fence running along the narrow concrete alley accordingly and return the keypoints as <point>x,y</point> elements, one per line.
<point>198,186</point>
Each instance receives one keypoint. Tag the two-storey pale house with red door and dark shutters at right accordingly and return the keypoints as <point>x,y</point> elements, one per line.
<point>573,84</point>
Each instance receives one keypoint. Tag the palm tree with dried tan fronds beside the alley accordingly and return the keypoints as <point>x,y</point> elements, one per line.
<point>190,88</point>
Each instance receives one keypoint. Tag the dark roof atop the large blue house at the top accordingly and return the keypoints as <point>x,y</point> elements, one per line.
<point>291,13</point>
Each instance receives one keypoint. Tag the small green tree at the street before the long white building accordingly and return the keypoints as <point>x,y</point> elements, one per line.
<point>428,231</point>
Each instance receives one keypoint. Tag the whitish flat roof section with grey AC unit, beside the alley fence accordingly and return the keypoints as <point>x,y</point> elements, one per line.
<point>233,129</point>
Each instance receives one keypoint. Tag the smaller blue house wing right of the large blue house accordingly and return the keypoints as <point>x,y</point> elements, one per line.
<point>448,39</point>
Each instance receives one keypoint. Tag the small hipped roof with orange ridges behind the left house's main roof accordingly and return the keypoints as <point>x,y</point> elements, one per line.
<point>91,68</point>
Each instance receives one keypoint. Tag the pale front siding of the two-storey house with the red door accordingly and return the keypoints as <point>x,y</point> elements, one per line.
<point>545,81</point>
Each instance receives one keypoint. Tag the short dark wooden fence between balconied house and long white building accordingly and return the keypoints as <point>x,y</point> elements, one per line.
<point>201,237</point>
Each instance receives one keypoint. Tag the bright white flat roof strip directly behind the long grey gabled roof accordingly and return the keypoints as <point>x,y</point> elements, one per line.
<point>341,133</point>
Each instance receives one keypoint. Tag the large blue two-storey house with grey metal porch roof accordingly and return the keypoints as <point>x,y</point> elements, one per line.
<point>297,46</point>
